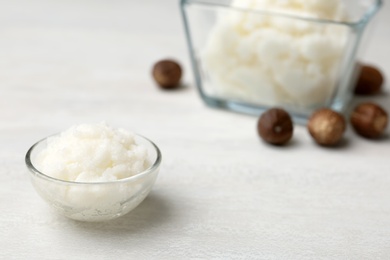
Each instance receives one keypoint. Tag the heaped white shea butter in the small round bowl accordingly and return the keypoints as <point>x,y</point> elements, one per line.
<point>92,153</point>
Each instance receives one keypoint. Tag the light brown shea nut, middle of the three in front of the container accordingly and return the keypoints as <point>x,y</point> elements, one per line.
<point>326,127</point>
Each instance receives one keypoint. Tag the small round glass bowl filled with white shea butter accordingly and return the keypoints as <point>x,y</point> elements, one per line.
<point>93,172</point>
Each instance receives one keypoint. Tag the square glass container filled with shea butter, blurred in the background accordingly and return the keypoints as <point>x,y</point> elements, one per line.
<point>301,55</point>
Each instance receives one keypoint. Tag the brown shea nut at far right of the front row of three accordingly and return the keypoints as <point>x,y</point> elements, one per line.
<point>369,120</point>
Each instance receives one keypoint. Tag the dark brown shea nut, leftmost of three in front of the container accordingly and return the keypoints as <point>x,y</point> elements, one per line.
<point>275,126</point>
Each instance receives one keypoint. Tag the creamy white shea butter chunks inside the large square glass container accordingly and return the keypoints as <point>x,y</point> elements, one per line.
<point>272,60</point>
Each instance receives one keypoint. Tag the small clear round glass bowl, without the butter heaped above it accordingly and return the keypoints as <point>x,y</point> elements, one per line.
<point>94,201</point>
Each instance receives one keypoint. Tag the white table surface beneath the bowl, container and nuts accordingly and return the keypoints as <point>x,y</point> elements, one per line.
<point>221,192</point>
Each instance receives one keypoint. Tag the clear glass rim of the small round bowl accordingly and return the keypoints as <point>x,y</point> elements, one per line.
<point>33,170</point>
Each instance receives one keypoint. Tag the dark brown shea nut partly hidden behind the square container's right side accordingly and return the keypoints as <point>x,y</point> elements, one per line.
<point>369,82</point>
